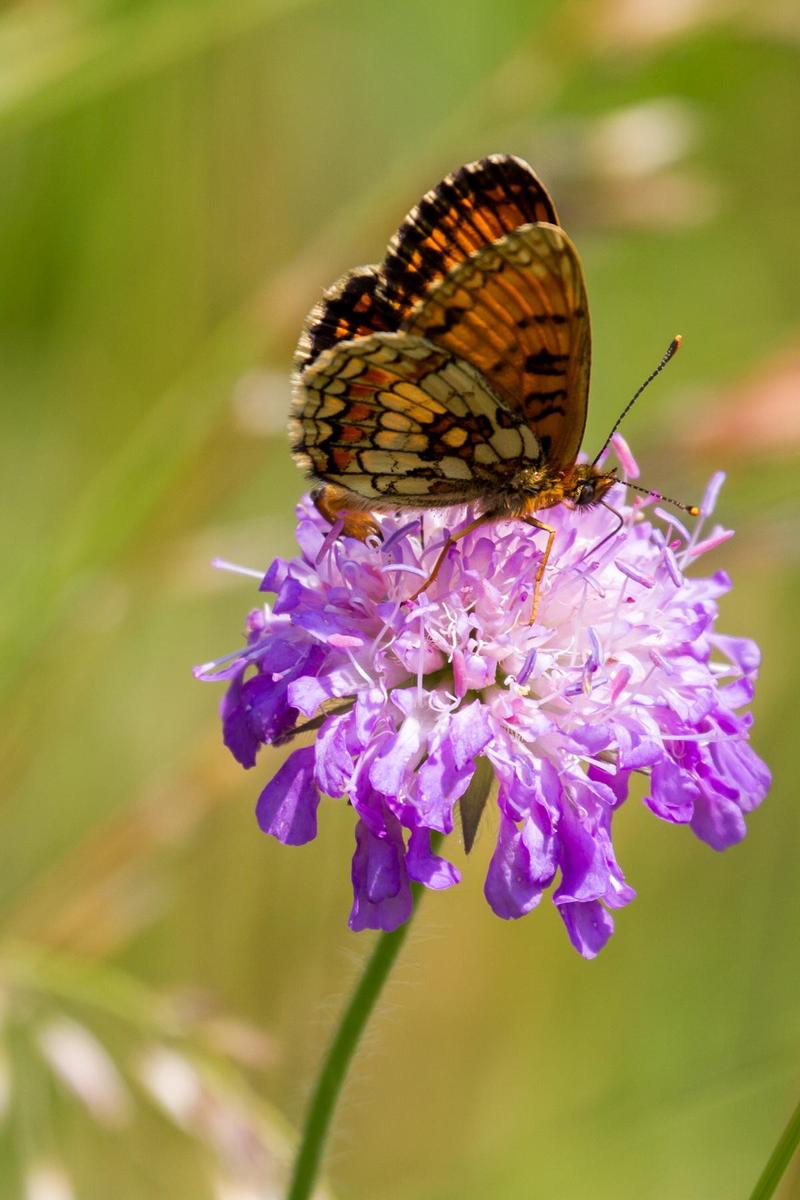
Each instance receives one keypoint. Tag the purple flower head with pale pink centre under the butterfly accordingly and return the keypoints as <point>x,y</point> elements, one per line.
<point>623,673</point>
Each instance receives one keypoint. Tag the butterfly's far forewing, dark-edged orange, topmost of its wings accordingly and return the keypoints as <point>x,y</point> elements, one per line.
<point>473,207</point>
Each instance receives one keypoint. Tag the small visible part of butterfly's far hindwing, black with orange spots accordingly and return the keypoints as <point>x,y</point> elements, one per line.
<point>352,308</point>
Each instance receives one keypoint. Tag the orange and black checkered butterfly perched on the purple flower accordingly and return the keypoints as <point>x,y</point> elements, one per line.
<point>458,371</point>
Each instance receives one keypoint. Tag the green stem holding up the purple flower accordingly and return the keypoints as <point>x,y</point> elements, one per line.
<point>341,1052</point>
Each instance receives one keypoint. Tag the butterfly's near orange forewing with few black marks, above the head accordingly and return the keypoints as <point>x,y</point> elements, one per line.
<point>518,311</point>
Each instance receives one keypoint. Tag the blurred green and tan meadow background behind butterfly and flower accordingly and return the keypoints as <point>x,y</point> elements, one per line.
<point>178,182</point>
